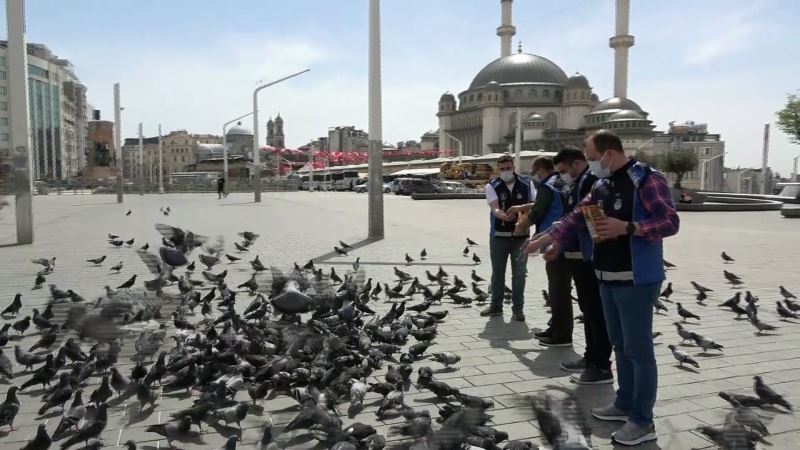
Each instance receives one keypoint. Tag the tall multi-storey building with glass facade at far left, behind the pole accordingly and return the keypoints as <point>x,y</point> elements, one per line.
<point>58,114</point>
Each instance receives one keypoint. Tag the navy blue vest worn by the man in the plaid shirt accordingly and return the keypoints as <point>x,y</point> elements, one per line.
<point>626,259</point>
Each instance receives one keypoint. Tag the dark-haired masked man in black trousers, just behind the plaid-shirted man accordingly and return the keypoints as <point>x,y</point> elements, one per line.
<point>594,367</point>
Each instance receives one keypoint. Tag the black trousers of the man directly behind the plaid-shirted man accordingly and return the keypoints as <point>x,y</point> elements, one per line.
<point>598,346</point>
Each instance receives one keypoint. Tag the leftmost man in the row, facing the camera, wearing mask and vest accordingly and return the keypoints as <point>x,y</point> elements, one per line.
<point>507,190</point>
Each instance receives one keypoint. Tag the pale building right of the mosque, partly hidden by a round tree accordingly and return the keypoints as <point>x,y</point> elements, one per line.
<point>709,148</point>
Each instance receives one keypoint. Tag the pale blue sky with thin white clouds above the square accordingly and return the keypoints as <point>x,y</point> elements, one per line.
<point>192,64</point>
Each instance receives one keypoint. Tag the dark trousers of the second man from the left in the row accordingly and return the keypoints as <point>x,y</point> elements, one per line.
<point>559,286</point>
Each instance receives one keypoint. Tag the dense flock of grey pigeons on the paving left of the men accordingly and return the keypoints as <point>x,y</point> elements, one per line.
<point>222,350</point>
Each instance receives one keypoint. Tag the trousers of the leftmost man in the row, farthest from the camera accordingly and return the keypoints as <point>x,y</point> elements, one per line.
<point>500,250</point>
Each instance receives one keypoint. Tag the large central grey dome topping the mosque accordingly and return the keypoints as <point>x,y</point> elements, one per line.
<point>519,68</point>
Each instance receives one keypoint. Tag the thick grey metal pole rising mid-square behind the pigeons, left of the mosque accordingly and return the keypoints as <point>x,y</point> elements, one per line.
<point>375,190</point>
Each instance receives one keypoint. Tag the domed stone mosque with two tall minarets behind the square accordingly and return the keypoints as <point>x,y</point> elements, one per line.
<point>555,109</point>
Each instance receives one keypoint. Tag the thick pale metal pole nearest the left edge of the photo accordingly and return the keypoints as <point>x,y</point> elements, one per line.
<point>18,119</point>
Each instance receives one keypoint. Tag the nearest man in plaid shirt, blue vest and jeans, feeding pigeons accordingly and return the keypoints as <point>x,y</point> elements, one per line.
<point>631,211</point>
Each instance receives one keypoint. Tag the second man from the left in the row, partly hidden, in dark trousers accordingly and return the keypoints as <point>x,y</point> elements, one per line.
<point>543,212</point>
